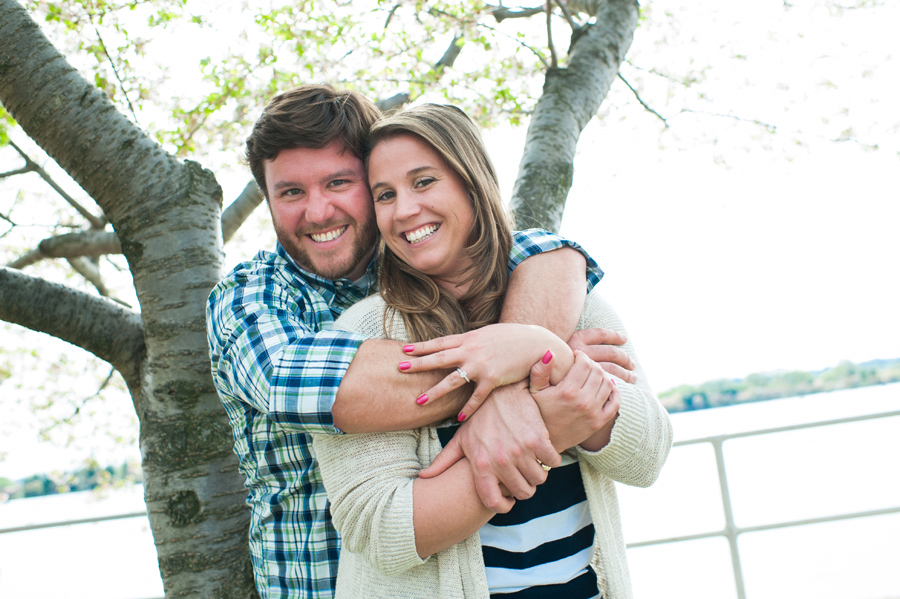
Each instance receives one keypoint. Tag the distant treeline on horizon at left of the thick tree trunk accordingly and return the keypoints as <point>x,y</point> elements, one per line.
<point>85,479</point>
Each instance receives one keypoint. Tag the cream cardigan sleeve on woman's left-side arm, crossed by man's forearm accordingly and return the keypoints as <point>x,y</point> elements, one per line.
<point>369,477</point>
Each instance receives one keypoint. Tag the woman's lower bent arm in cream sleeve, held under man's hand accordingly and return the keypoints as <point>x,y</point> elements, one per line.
<point>383,510</point>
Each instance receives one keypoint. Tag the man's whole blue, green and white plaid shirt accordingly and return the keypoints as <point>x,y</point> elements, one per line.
<point>277,369</point>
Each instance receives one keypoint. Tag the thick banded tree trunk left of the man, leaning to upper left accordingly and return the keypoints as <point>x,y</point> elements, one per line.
<point>166,215</point>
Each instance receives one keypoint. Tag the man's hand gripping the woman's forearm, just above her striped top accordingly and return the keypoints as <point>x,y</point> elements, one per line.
<point>503,441</point>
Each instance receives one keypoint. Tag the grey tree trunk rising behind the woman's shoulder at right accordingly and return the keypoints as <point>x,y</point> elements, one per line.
<point>570,99</point>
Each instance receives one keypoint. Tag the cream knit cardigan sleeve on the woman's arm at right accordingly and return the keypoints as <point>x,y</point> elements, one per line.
<point>642,435</point>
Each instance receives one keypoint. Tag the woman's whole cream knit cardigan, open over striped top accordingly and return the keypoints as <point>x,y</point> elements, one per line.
<point>369,480</point>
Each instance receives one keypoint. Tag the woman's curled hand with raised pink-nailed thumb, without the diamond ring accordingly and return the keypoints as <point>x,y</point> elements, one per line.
<point>581,409</point>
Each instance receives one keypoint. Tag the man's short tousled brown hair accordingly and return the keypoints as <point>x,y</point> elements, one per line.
<point>309,116</point>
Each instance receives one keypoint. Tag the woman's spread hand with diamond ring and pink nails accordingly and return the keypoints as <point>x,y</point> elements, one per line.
<point>492,356</point>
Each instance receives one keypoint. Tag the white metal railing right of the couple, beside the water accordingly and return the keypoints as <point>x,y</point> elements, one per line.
<point>731,531</point>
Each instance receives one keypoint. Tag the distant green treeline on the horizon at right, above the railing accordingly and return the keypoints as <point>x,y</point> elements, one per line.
<point>775,385</point>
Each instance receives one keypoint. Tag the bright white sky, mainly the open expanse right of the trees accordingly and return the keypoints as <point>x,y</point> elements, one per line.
<point>728,249</point>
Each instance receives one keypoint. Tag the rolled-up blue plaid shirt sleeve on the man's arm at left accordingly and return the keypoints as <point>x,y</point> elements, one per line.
<point>267,352</point>
